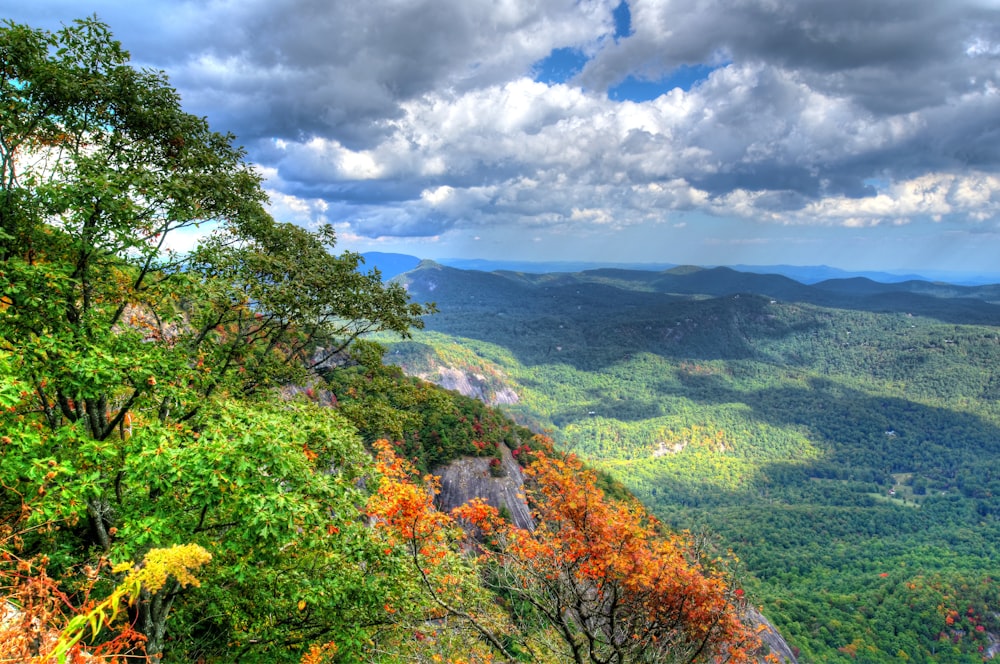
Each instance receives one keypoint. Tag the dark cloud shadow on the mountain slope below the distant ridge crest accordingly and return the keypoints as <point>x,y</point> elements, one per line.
<point>590,336</point>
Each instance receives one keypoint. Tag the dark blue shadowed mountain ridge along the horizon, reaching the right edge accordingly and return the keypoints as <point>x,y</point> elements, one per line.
<point>592,319</point>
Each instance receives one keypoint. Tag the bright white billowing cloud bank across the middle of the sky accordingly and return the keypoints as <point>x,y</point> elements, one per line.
<point>752,141</point>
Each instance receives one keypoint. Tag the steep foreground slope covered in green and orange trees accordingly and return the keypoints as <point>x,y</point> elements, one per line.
<point>204,459</point>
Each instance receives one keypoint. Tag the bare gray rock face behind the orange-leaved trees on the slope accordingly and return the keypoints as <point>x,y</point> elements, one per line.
<point>469,477</point>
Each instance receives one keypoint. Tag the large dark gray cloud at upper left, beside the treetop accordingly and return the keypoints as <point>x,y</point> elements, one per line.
<point>340,69</point>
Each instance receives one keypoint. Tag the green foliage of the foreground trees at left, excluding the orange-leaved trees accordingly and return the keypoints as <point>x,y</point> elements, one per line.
<point>145,396</point>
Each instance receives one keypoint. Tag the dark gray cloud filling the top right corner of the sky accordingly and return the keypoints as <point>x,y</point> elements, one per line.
<point>889,56</point>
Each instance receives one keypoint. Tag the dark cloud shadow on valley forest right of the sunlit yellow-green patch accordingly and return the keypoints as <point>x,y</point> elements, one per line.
<point>833,513</point>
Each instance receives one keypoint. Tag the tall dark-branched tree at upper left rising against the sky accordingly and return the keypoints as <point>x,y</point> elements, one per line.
<point>100,166</point>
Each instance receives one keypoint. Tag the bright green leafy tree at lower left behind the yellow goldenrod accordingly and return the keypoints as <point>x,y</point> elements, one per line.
<point>270,489</point>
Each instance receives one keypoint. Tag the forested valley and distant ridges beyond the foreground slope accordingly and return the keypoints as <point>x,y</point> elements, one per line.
<point>843,438</point>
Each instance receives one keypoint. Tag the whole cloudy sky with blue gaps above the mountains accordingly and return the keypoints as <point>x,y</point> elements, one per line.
<point>860,134</point>
